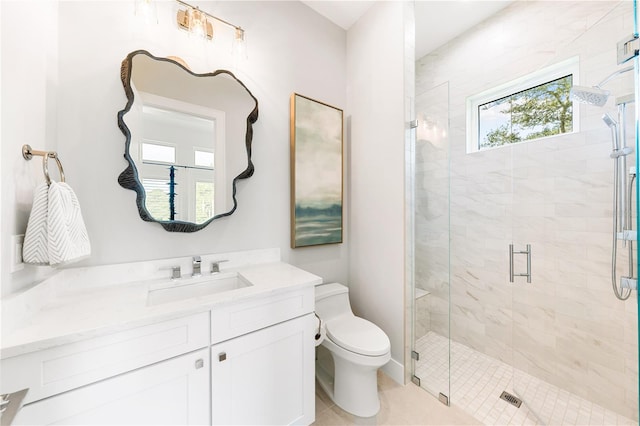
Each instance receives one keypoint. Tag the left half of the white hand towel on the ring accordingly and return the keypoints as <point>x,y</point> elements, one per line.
<point>35,249</point>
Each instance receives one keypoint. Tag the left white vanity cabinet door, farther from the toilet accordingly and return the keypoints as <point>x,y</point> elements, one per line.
<point>172,392</point>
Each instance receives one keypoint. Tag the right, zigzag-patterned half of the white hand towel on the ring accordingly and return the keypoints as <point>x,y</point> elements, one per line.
<point>68,238</point>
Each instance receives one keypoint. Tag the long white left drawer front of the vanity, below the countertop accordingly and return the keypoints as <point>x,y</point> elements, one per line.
<point>66,367</point>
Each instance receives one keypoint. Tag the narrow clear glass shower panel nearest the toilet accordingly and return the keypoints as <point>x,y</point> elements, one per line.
<point>431,343</point>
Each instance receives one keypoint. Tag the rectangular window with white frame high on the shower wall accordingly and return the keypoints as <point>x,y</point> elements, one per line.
<point>533,107</point>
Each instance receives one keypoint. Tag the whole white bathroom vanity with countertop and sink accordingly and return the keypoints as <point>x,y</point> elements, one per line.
<point>126,344</point>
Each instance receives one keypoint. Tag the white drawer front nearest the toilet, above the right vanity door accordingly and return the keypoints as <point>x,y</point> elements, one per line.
<point>237,319</point>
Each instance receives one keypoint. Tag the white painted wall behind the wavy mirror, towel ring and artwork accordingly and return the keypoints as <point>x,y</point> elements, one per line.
<point>61,76</point>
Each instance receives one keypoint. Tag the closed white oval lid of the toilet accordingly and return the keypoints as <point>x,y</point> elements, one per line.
<point>358,335</point>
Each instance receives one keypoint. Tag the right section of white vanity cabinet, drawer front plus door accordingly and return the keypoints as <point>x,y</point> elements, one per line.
<point>264,374</point>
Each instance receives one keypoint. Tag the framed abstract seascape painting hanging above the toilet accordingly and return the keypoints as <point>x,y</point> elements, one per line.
<point>316,172</point>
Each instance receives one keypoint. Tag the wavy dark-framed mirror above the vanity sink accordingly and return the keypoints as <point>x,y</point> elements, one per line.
<point>188,140</point>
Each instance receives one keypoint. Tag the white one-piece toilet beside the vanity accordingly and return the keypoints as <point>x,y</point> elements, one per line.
<point>350,354</point>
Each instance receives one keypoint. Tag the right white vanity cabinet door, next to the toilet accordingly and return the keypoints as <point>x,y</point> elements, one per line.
<point>265,377</point>
